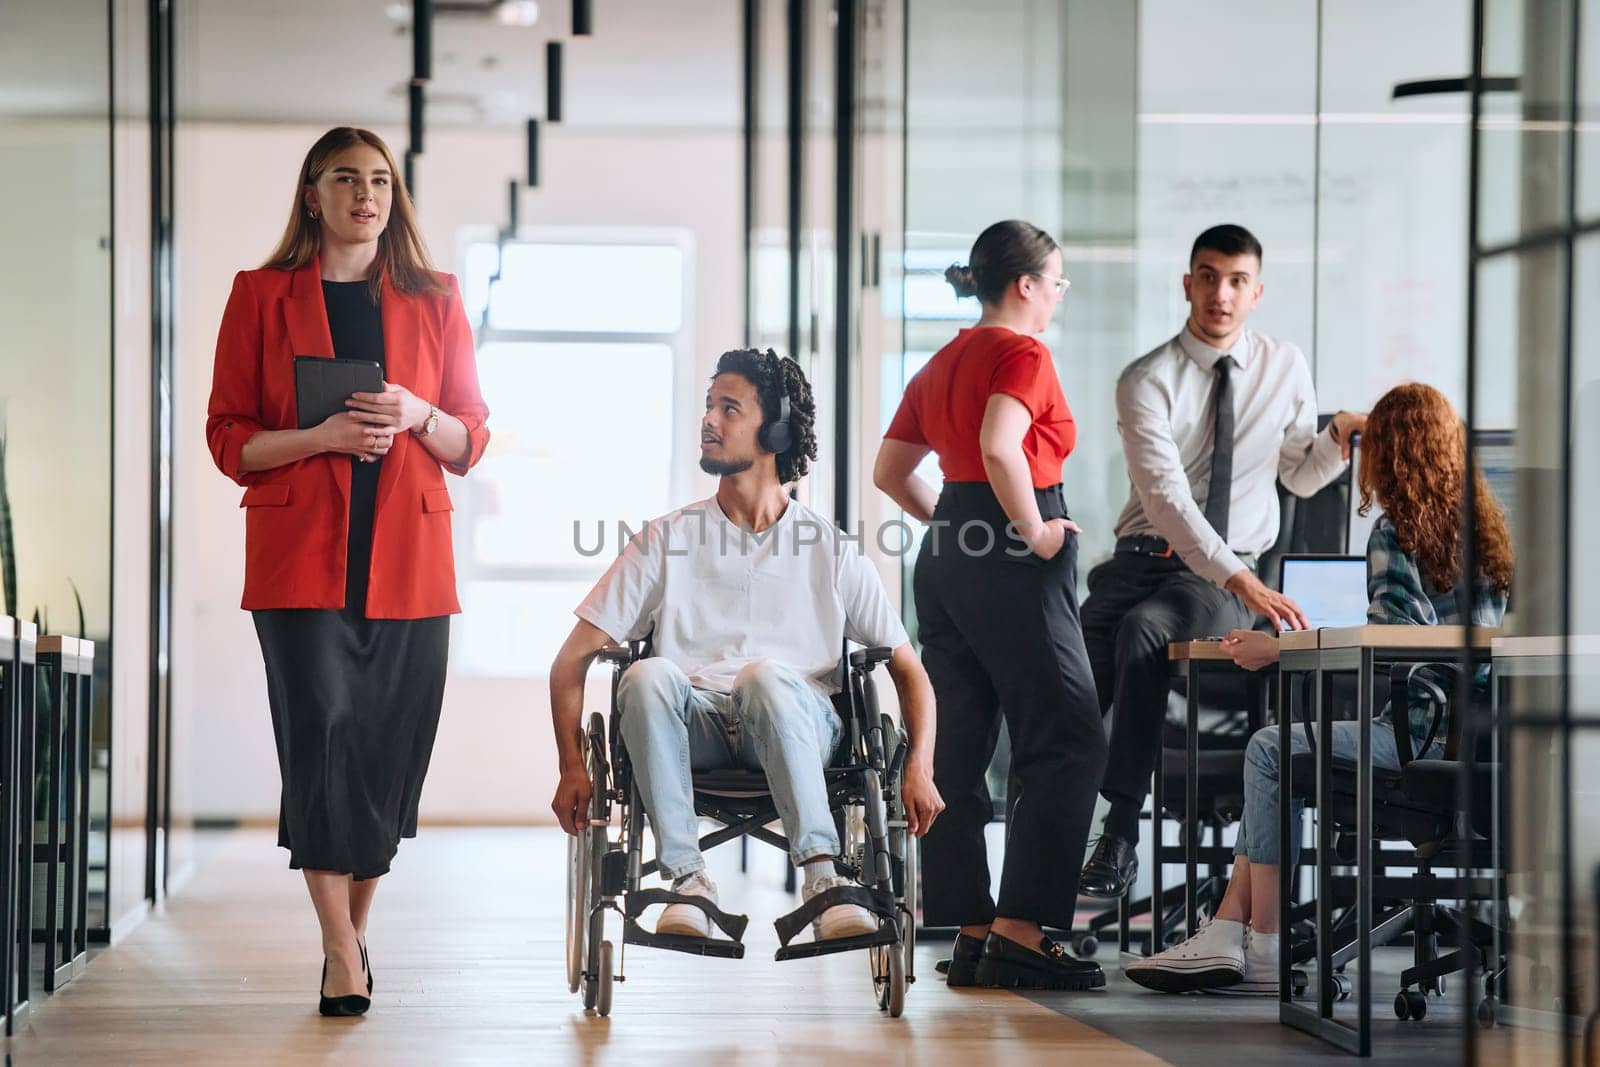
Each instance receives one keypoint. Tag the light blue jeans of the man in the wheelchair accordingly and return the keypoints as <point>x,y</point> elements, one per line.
<point>772,722</point>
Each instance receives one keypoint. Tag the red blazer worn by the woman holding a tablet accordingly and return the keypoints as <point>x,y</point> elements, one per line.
<point>297,518</point>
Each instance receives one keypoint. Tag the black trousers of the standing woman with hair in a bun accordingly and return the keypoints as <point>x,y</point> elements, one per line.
<point>1001,637</point>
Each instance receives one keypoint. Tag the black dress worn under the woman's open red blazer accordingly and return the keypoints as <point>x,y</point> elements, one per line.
<point>354,701</point>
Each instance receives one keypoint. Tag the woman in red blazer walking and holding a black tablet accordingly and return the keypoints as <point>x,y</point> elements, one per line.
<point>348,546</point>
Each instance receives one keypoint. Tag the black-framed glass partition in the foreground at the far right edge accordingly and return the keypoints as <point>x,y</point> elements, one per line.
<point>1537,258</point>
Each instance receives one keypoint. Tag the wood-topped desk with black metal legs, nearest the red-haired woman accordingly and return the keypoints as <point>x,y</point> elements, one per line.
<point>1350,650</point>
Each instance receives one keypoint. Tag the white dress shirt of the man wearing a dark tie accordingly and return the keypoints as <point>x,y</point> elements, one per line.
<point>1166,415</point>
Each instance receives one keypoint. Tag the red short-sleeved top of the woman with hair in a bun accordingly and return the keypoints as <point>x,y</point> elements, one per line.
<point>945,404</point>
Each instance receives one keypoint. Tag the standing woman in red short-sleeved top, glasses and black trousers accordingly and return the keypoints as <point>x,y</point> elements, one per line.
<point>996,586</point>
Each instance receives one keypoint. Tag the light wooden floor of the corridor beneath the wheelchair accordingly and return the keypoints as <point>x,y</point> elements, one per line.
<point>466,948</point>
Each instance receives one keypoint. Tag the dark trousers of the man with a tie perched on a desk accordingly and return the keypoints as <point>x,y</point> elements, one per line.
<point>1137,607</point>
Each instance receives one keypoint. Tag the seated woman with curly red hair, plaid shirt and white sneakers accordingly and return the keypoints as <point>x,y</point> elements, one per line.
<point>1415,468</point>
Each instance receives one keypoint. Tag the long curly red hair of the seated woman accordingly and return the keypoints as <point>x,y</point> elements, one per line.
<point>1414,466</point>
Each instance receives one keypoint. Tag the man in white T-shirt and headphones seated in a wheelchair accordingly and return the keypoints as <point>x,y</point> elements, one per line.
<point>746,601</point>
